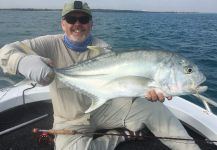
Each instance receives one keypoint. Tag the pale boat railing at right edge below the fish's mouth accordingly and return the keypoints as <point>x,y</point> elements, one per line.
<point>206,102</point>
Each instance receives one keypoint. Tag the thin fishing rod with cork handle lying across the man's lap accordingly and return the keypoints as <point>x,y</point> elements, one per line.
<point>73,132</point>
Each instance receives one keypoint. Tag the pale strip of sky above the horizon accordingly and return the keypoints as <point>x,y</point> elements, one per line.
<point>209,6</point>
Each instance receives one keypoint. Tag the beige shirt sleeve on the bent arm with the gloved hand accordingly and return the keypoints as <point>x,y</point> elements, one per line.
<point>11,54</point>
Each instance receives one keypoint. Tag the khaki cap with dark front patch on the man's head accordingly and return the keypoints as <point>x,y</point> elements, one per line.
<point>76,6</point>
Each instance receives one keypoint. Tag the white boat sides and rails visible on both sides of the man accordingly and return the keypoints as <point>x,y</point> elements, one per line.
<point>201,119</point>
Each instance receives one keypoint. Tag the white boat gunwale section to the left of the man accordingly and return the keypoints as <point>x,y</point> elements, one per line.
<point>12,96</point>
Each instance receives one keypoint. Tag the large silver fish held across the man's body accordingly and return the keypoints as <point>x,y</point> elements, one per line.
<point>132,74</point>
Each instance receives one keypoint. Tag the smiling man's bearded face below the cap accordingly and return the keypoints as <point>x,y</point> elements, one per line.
<point>77,31</point>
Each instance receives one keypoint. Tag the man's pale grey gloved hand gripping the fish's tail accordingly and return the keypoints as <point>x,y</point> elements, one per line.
<point>37,69</point>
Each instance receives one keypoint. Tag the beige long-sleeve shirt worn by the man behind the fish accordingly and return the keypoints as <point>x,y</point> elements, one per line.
<point>68,105</point>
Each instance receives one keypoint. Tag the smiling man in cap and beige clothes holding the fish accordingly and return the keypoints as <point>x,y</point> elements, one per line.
<point>69,106</point>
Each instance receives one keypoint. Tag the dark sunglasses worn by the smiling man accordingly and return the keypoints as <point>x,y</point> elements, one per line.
<point>72,19</point>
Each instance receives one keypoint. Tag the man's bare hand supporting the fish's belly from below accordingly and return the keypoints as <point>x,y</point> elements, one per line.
<point>153,96</point>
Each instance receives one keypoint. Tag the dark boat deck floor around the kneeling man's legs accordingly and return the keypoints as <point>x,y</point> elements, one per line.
<point>24,139</point>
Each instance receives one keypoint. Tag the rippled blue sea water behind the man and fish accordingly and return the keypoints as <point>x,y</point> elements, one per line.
<point>193,35</point>
